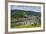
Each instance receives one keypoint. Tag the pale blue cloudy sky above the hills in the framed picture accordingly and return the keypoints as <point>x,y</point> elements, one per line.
<point>26,8</point>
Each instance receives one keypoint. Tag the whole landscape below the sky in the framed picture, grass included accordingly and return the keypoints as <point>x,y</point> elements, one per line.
<point>25,19</point>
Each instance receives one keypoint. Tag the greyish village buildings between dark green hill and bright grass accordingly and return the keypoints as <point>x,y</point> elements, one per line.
<point>28,20</point>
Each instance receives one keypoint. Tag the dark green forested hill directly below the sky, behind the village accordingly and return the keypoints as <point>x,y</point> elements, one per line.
<point>20,13</point>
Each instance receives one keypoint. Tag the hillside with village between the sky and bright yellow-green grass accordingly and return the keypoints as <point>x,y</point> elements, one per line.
<point>20,17</point>
